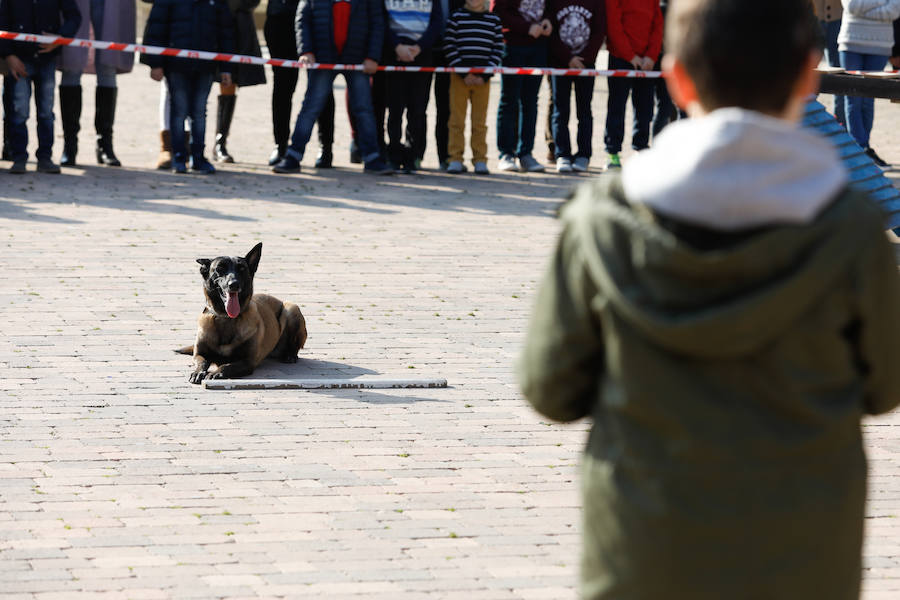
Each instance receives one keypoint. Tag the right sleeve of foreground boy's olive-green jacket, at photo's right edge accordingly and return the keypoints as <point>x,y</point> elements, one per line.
<point>879,337</point>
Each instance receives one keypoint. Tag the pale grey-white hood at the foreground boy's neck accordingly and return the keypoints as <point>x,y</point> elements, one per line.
<point>735,169</point>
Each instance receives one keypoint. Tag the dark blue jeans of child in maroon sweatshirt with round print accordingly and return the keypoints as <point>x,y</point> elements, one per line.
<point>584,93</point>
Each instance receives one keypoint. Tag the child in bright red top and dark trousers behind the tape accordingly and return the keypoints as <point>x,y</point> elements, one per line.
<point>634,39</point>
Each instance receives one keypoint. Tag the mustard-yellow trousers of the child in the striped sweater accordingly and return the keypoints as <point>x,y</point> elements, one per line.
<point>460,96</point>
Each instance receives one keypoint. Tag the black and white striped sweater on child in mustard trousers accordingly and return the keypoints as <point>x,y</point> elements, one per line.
<point>474,39</point>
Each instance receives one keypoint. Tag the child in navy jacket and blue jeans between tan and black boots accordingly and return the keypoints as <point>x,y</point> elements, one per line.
<point>194,26</point>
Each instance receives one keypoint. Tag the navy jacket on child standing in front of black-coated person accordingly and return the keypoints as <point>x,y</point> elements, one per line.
<point>192,25</point>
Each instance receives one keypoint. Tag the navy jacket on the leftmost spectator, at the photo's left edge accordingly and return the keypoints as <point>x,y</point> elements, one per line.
<point>61,17</point>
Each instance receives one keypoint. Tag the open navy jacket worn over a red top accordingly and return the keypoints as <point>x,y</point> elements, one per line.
<point>365,32</point>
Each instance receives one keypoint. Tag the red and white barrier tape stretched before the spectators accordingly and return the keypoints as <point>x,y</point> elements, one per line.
<point>293,64</point>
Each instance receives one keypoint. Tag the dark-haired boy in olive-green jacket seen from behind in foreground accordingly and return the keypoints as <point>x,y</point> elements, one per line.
<point>726,312</point>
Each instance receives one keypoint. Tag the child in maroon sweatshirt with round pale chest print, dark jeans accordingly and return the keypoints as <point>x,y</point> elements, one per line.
<point>579,29</point>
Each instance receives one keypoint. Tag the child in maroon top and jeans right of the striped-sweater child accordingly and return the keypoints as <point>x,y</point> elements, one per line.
<point>526,29</point>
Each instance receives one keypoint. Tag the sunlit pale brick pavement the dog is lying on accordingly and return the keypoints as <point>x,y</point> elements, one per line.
<point>119,479</point>
